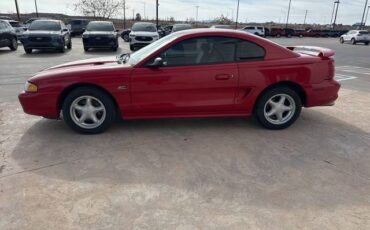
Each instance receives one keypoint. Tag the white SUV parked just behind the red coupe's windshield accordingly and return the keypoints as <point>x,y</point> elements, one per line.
<point>142,34</point>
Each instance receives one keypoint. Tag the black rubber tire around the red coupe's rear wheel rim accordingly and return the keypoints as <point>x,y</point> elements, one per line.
<point>262,104</point>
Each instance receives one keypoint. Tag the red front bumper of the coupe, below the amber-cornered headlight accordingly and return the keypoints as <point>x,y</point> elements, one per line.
<point>39,104</point>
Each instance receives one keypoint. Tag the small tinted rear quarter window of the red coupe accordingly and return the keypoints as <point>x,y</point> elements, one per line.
<point>248,51</point>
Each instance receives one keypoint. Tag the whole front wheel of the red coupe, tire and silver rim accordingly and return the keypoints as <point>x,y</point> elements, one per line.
<point>88,110</point>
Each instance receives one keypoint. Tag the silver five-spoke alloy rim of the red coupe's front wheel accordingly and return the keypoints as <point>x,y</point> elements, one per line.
<point>87,112</point>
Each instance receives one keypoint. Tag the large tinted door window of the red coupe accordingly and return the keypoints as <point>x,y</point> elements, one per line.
<point>200,51</point>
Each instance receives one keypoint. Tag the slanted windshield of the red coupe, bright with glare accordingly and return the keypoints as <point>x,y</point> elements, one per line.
<point>147,50</point>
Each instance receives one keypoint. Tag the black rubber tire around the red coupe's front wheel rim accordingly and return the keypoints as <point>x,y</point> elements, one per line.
<point>105,99</point>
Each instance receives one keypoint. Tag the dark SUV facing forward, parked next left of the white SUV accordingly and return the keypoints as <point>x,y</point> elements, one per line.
<point>100,34</point>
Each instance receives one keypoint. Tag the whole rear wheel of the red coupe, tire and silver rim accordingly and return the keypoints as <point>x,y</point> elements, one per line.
<point>278,108</point>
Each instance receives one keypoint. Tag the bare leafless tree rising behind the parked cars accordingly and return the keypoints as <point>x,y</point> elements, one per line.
<point>98,8</point>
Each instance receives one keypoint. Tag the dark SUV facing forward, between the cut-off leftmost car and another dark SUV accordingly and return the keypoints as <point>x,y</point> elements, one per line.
<point>46,34</point>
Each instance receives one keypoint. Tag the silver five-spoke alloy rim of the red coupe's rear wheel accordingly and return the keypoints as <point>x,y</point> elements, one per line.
<point>279,109</point>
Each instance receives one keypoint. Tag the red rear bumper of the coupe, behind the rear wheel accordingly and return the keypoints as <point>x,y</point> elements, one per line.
<point>322,94</point>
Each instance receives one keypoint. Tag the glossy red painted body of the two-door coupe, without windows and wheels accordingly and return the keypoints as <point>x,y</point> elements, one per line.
<point>228,89</point>
